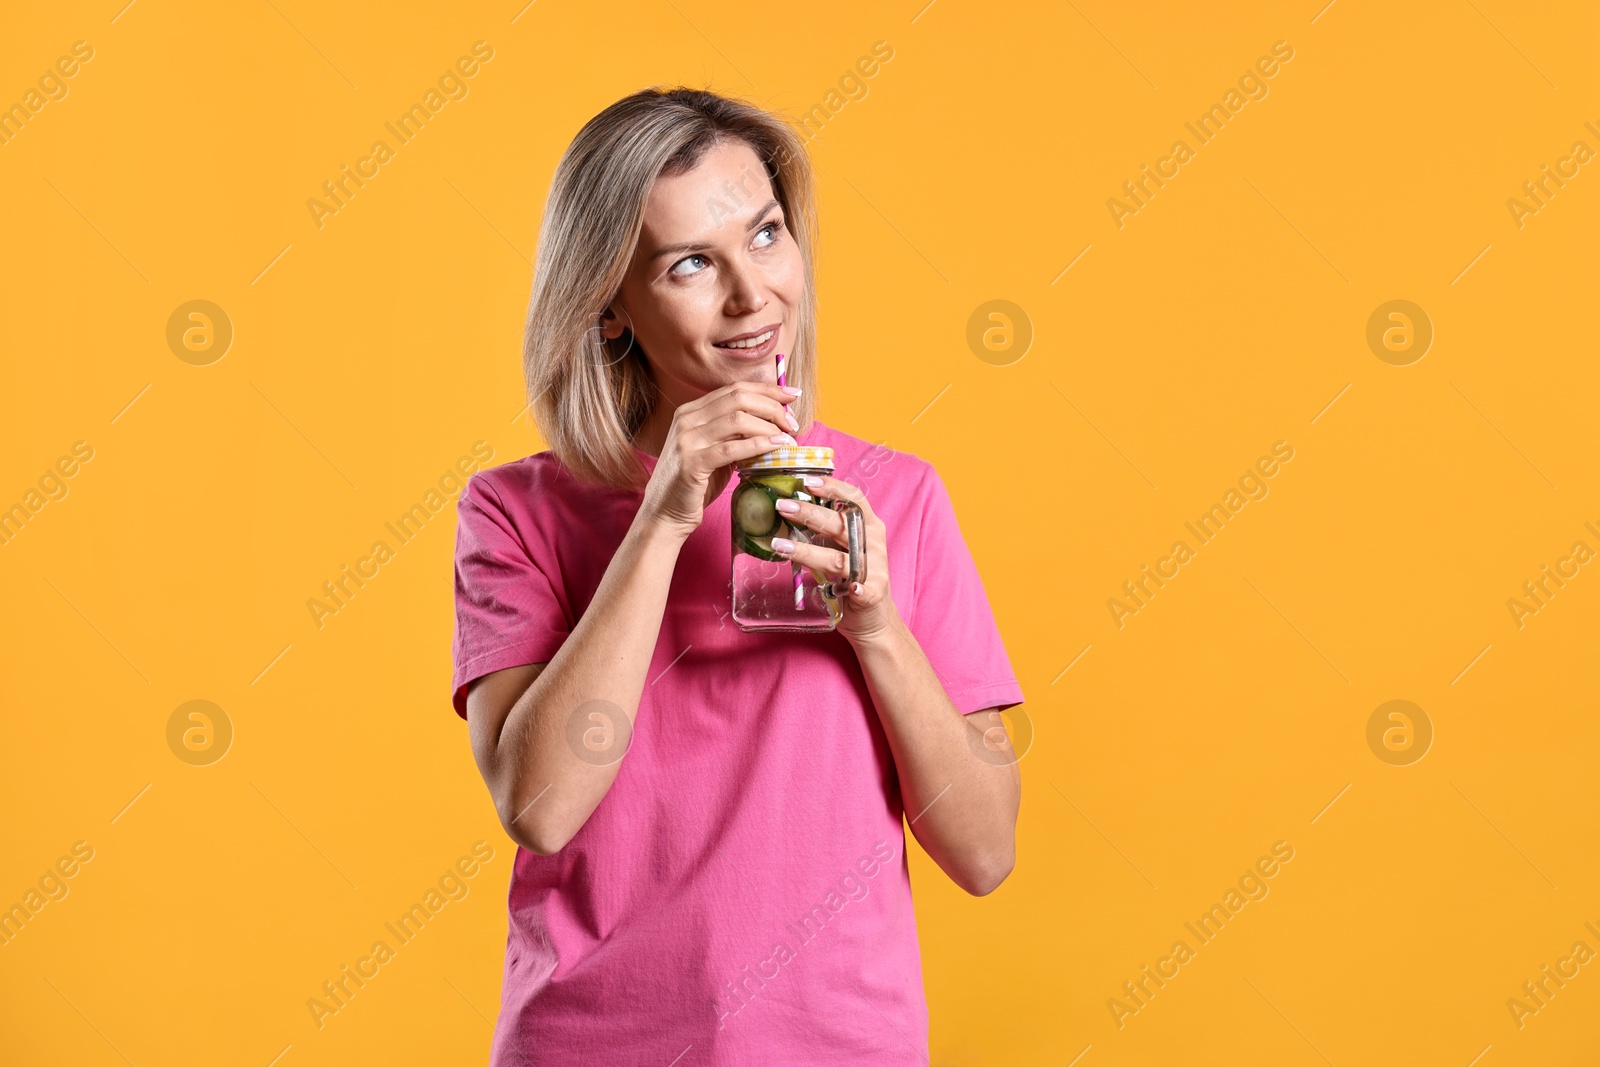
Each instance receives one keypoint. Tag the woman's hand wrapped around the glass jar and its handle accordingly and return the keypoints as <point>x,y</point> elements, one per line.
<point>868,609</point>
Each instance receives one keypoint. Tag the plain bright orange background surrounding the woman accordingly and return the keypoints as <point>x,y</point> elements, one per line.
<point>1225,316</point>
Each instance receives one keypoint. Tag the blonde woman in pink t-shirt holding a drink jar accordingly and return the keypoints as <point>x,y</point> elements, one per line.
<point>713,863</point>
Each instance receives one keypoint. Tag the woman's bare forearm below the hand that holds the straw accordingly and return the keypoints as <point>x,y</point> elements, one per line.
<point>564,738</point>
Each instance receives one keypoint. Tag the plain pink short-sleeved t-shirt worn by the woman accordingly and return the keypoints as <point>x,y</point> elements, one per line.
<point>742,893</point>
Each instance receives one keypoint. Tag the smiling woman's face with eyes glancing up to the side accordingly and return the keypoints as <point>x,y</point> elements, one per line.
<point>718,282</point>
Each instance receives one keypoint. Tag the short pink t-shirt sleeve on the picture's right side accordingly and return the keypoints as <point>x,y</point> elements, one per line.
<point>951,615</point>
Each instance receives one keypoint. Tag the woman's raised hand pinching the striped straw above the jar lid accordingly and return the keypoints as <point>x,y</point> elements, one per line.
<point>734,423</point>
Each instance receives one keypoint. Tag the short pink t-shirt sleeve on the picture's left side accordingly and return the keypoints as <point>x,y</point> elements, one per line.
<point>506,610</point>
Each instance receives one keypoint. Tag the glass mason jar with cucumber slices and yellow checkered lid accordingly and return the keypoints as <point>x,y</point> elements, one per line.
<point>769,591</point>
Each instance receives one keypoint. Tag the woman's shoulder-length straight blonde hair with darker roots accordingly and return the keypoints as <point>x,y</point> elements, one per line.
<point>590,396</point>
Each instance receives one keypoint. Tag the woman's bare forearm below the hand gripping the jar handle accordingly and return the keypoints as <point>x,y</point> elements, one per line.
<point>961,807</point>
